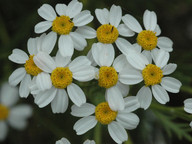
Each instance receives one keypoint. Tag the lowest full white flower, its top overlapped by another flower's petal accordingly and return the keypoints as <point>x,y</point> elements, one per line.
<point>125,119</point>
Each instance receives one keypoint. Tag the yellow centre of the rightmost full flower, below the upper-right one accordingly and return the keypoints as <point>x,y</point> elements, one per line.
<point>152,75</point>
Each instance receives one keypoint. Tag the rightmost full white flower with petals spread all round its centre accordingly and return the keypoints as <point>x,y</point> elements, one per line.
<point>152,75</point>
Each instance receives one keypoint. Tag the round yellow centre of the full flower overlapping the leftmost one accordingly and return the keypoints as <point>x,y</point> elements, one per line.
<point>61,77</point>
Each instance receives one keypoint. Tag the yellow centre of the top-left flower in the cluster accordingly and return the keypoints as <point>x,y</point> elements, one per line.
<point>62,25</point>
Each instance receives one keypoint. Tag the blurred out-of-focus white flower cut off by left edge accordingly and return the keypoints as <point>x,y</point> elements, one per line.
<point>11,114</point>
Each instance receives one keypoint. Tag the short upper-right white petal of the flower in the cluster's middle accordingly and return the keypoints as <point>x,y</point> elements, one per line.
<point>120,62</point>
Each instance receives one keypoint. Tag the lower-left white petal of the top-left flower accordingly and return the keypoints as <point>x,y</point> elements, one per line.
<point>42,26</point>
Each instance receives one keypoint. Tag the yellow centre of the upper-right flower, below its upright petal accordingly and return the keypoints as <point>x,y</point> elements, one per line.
<point>147,39</point>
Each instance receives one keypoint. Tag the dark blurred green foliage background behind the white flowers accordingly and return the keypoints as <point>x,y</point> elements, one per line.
<point>161,123</point>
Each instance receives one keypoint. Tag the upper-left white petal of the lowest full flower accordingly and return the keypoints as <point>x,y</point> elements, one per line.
<point>82,111</point>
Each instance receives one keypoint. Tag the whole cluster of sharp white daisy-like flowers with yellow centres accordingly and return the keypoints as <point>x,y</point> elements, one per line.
<point>54,79</point>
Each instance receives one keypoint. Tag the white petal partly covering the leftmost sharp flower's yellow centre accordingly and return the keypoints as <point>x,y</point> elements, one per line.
<point>45,62</point>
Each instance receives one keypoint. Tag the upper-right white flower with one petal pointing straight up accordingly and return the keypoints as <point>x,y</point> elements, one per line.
<point>148,39</point>
